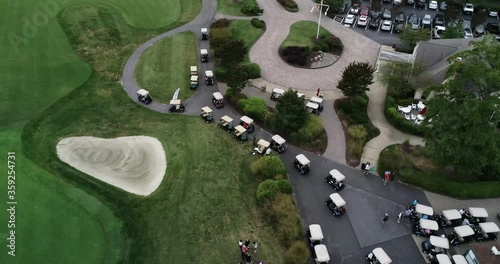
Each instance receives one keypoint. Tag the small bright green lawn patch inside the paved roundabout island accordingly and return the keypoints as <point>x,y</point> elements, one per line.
<point>302,34</point>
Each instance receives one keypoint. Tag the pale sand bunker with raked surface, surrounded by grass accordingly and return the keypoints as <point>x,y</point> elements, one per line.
<point>134,164</point>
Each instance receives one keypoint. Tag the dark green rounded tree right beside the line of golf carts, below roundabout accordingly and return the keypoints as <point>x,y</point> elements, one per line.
<point>291,113</point>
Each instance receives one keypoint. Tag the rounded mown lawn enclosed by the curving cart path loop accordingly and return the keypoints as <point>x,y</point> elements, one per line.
<point>165,67</point>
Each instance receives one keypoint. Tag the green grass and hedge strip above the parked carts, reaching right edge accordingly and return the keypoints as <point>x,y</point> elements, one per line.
<point>414,167</point>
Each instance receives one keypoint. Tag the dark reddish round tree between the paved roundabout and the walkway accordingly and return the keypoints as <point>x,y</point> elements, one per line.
<point>356,78</point>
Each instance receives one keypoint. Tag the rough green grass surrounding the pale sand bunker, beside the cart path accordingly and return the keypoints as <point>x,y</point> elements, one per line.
<point>206,202</point>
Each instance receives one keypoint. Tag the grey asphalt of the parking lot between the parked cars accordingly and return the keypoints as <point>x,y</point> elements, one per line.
<point>390,37</point>
